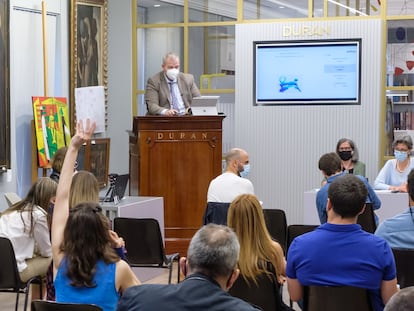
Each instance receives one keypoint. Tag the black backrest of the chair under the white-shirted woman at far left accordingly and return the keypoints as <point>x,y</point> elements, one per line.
<point>9,275</point>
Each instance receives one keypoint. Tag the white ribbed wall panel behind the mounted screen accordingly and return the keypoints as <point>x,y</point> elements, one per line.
<point>285,142</point>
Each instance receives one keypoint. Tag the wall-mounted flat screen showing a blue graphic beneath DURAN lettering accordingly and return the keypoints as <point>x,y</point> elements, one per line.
<point>307,72</point>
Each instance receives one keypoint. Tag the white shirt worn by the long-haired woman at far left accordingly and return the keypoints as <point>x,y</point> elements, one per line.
<point>12,227</point>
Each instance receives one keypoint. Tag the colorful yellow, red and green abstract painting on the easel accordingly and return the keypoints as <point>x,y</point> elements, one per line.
<point>51,118</point>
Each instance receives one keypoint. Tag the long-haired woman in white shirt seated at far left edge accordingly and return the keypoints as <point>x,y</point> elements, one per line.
<point>25,224</point>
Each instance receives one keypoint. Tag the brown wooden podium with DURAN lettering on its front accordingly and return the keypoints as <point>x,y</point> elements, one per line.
<point>176,158</point>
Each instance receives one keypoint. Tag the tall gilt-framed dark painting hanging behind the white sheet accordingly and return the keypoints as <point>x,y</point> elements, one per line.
<point>89,44</point>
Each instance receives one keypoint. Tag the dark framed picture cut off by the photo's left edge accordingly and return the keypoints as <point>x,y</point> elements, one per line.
<point>4,87</point>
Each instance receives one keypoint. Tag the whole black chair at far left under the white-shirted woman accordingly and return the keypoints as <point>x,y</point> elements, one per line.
<point>10,281</point>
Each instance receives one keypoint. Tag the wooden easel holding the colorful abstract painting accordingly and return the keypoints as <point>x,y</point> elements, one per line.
<point>35,167</point>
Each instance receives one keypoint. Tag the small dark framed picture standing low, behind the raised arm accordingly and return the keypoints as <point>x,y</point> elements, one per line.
<point>94,157</point>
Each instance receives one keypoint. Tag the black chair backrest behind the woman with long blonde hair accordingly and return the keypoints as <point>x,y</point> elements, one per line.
<point>265,294</point>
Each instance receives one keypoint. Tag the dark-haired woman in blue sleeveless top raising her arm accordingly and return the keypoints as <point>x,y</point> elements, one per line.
<point>86,268</point>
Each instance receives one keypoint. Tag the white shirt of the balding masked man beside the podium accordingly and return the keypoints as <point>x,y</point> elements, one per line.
<point>227,186</point>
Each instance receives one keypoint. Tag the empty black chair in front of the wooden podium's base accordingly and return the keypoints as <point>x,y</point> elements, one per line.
<point>144,244</point>
